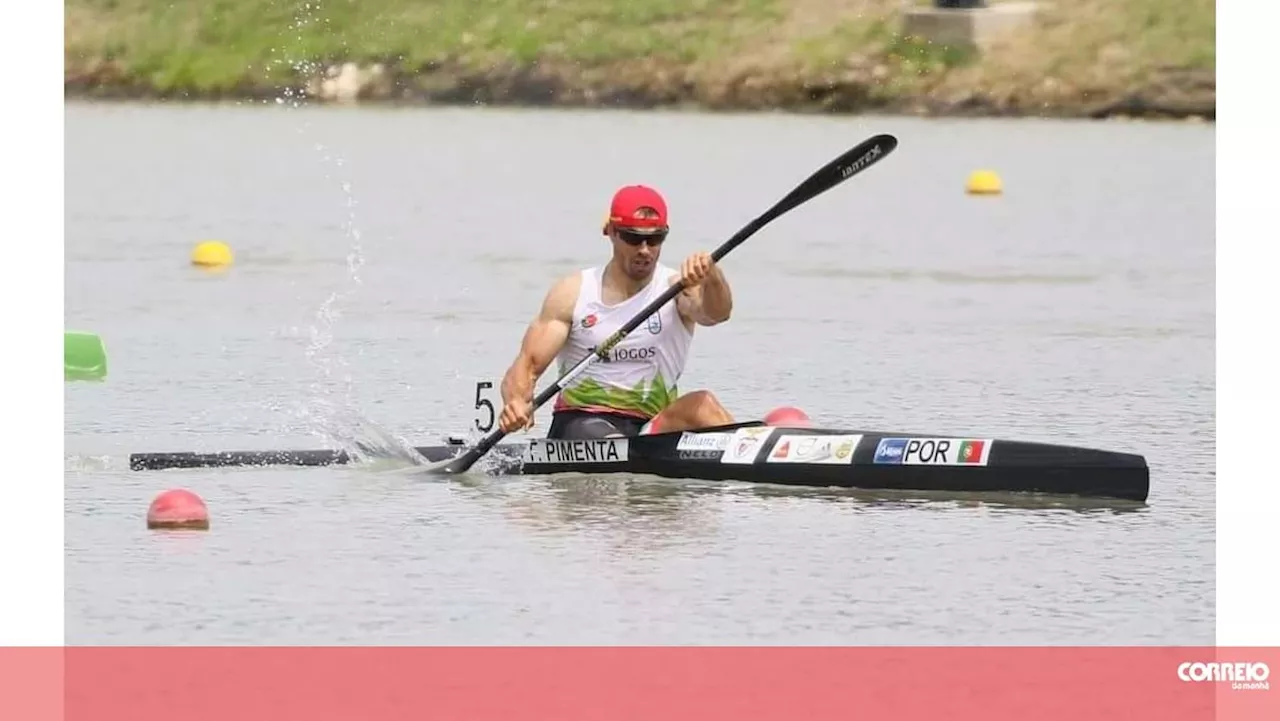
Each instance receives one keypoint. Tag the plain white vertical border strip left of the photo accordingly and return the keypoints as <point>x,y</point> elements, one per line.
<point>31,303</point>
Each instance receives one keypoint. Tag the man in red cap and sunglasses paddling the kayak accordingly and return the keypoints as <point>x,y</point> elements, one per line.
<point>634,390</point>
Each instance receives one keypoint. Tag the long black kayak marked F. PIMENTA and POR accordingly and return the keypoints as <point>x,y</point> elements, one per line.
<point>756,453</point>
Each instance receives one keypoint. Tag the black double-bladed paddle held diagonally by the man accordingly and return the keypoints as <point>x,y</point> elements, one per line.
<point>861,158</point>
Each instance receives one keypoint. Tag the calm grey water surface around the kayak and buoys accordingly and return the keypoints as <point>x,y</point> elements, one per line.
<point>387,261</point>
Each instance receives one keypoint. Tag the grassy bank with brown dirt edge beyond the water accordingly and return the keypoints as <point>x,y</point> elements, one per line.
<point>1081,57</point>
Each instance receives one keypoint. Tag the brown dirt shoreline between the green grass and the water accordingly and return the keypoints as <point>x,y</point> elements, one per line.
<point>1173,94</point>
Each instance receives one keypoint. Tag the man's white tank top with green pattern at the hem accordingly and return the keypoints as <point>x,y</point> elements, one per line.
<point>641,376</point>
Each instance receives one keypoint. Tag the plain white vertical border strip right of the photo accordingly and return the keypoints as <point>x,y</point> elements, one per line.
<point>1249,487</point>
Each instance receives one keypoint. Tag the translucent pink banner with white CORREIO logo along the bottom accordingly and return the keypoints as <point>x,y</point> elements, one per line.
<point>624,685</point>
